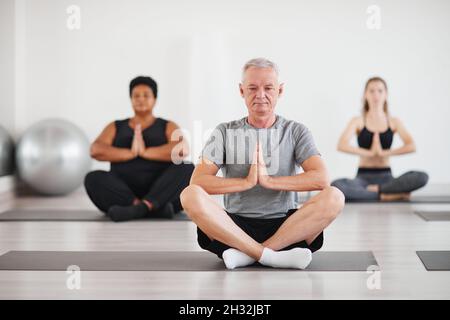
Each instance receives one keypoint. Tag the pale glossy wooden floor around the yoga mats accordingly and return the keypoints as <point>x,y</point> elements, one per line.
<point>392,231</point>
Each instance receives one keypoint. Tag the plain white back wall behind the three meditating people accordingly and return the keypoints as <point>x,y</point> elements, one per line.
<point>195,50</point>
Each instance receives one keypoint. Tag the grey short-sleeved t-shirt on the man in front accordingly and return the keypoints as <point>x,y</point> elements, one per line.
<point>286,144</point>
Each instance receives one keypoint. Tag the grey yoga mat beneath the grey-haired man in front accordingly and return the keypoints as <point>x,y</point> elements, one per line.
<point>165,261</point>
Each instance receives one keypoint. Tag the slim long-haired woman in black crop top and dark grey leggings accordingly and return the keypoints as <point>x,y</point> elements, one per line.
<point>375,132</point>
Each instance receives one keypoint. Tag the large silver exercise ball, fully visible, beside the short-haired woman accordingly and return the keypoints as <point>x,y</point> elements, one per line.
<point>53,157</point>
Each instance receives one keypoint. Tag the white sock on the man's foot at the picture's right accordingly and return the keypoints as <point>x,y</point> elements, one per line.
<point>297,258</point>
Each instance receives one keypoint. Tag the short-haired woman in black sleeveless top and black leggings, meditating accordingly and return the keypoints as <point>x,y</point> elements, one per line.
<point>147,171</point>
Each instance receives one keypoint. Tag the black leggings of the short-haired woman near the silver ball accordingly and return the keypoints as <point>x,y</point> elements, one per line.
<point>106,188</point>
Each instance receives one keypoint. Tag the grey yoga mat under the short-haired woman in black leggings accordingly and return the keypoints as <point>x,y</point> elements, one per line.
<point>67,215</point>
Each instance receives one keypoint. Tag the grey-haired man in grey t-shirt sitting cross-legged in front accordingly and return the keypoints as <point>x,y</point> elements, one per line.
<point>258,156</point>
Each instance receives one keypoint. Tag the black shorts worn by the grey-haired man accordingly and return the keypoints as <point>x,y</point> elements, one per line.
<point>257,228</point>
